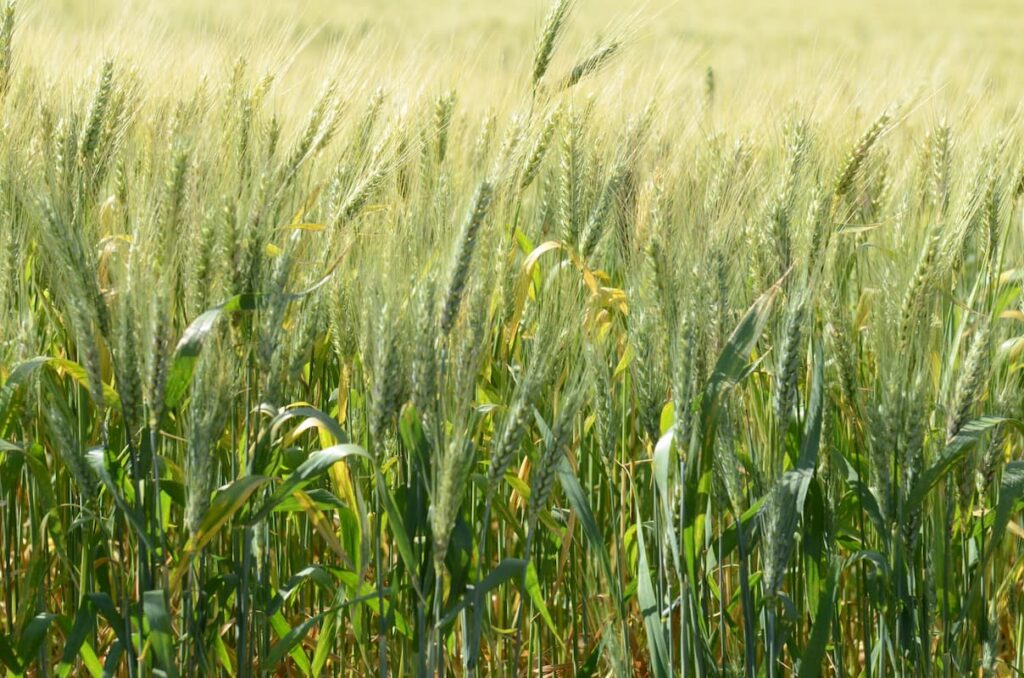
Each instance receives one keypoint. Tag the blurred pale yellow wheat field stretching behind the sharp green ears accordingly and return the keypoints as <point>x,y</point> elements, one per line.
<point>836,56</point>
